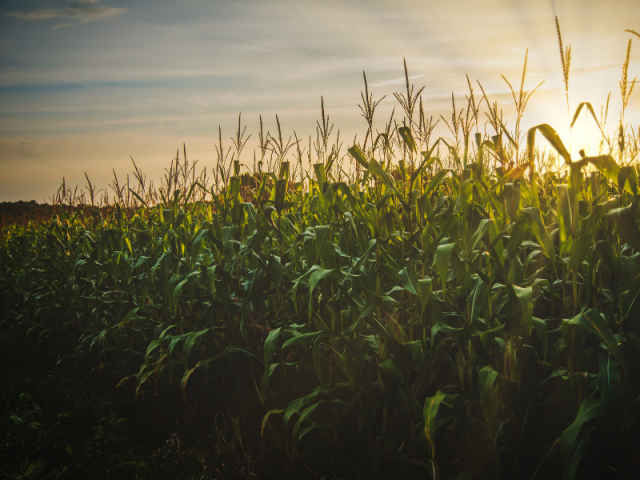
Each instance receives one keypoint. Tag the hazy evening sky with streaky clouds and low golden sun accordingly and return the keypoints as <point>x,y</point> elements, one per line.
<point>86,85</point>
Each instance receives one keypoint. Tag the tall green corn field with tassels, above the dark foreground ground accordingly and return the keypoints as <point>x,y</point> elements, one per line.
<point>464,308</point>
